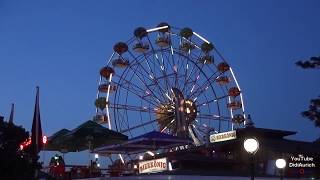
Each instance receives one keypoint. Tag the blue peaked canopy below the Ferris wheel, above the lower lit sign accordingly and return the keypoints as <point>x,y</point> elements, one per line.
<point>150,141</point>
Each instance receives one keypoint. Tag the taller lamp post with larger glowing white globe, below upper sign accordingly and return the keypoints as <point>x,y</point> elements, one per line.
<point>251,145</point>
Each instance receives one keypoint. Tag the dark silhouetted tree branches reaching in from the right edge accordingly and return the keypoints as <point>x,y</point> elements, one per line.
<point>313,113</point>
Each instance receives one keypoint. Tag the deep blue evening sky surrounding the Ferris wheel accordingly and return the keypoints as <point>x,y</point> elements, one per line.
<point>61,45</point>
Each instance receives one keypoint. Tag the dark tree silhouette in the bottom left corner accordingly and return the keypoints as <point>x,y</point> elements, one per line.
<point>15,163</point>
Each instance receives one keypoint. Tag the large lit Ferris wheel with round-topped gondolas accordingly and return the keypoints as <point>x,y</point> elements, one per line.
<point>171,80</point>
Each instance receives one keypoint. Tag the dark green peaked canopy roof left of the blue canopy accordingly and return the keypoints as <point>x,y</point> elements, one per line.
<point>88,135</point>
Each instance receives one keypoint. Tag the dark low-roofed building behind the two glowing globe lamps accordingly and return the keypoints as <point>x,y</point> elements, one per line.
<point>227,156</point>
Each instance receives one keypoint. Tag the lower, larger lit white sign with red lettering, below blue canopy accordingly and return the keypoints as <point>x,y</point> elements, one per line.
<point>153,166</point>
